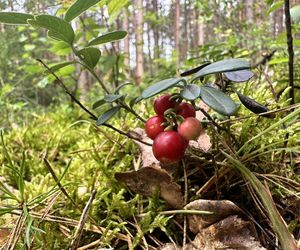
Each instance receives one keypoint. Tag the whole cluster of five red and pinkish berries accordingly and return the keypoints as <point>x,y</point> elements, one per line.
<point>171,129</point>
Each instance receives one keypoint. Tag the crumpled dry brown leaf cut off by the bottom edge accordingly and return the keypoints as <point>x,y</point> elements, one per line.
<point>229,233</point>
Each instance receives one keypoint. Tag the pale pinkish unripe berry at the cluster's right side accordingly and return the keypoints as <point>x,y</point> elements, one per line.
<point>190,128</point>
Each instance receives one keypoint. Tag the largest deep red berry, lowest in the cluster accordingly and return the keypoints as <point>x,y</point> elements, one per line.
<point>169,147</point>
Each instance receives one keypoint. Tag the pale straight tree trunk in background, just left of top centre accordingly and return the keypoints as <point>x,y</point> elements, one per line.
<point>139,43</point>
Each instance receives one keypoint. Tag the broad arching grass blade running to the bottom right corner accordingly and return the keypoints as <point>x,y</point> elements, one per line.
<point>278,224</point>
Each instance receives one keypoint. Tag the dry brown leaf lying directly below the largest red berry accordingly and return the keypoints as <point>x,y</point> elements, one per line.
<point>148,180</point>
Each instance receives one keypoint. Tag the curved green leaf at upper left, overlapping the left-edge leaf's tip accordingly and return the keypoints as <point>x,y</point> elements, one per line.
<point>58,28</point>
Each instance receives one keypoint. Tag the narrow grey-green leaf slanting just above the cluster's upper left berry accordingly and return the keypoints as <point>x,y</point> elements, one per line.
<point>160,87</point>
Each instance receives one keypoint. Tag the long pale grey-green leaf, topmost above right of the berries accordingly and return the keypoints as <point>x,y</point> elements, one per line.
<point>223,66</point>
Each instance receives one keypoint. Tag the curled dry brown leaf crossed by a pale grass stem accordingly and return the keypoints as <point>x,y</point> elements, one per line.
<point>221,209</point>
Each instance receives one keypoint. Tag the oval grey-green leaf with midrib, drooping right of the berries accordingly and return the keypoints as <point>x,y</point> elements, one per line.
<point>217,100</point>
